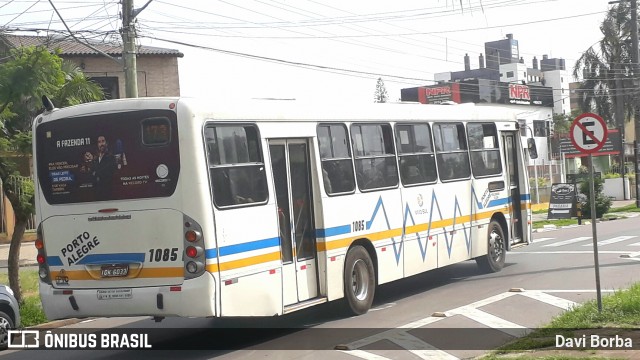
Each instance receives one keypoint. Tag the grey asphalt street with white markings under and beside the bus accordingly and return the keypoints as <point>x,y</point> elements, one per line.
<point>450,313</point>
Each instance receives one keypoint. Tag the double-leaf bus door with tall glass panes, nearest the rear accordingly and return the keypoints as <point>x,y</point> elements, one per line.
<point>292,181</point>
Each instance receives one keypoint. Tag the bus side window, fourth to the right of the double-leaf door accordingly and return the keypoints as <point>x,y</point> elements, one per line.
<point>451,151</point>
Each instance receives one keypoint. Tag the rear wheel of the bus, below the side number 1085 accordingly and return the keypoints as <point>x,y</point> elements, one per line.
<point>359,280</point>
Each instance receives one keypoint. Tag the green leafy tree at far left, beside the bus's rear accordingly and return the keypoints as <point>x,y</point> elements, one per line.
<point>30,73</point>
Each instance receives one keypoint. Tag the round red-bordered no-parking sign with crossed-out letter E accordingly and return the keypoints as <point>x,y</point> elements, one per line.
<point>588,133</point>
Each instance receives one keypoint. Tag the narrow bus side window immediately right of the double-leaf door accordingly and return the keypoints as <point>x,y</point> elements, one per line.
<point>335,155</point>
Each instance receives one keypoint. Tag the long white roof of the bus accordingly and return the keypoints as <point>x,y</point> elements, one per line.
<point>294,110</point>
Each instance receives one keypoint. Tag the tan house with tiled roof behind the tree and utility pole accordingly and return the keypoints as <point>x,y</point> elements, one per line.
<point>157,68</point>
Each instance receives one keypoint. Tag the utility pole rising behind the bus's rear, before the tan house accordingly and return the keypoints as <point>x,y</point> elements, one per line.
<point>129,50</point>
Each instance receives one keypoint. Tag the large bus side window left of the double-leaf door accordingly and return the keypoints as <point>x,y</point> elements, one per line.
<point>235,163</point>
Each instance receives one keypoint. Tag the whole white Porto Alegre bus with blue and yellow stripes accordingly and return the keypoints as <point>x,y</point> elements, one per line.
<point>176,207</point>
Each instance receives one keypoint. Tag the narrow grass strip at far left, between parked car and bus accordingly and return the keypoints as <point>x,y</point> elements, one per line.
<point>31,312</point>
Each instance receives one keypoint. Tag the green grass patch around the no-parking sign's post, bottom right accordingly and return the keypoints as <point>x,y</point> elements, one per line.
<point>620,314</point>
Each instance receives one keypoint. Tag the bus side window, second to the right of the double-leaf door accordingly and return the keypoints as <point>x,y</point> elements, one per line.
<point>376,165</point>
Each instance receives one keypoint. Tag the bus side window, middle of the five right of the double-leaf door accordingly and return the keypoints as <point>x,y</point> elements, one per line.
<point>416,159</point>
